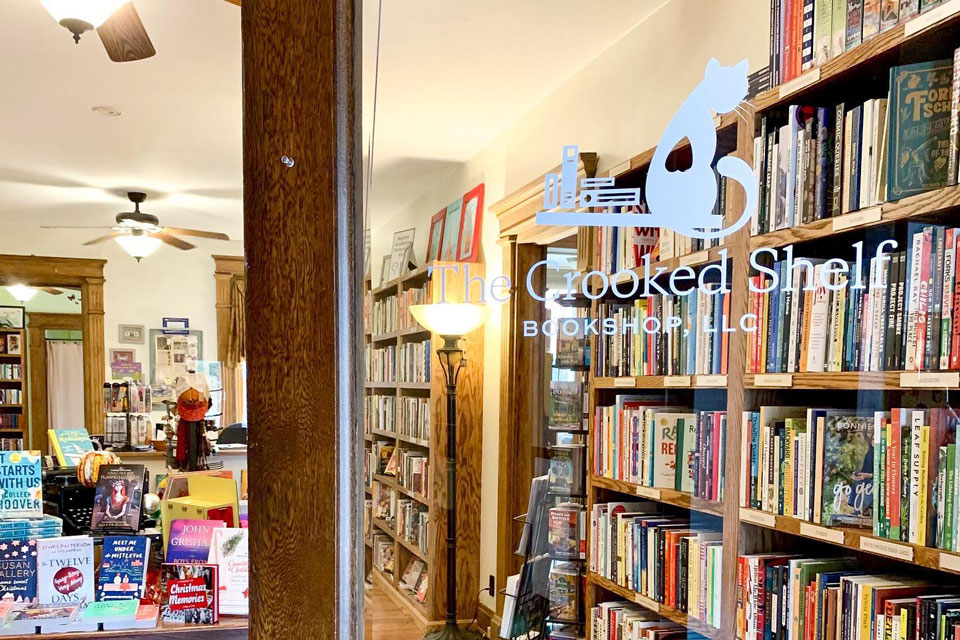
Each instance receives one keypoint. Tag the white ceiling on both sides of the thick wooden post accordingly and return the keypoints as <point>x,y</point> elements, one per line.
<point>453,75</point>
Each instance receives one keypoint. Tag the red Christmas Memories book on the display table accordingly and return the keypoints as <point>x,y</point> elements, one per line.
<point>190,593</point>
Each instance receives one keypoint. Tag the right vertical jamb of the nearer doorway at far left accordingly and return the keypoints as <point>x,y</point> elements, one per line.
<point>94,356</point>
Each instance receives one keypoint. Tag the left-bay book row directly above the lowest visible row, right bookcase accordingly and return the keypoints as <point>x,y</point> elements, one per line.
<point>664,558</point>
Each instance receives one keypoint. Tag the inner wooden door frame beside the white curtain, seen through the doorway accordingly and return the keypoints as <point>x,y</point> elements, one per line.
<point>37,326</point>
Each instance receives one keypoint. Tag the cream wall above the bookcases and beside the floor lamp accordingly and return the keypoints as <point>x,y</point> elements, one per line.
<point>617,105</point>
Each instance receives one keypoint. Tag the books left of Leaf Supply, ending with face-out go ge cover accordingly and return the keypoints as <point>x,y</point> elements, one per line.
<point>809,463</point>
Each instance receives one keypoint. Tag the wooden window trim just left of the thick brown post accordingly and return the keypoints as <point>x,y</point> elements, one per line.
<point>226,268</point>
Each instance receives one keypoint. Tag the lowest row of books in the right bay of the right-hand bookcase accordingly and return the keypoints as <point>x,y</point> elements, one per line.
<point>782,595</point>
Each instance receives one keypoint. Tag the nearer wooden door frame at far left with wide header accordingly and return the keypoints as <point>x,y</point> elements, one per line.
<point>87,275</point>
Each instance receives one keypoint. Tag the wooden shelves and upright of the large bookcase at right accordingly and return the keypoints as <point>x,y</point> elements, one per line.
<point>851,76</point>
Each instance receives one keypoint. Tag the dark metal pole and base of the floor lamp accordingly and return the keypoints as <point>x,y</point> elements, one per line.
<point>452,362</point>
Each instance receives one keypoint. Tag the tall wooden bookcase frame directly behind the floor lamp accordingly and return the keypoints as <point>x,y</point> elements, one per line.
<point>389,386</point>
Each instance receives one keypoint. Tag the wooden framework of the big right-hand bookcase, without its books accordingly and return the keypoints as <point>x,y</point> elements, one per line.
<point>745,530</point>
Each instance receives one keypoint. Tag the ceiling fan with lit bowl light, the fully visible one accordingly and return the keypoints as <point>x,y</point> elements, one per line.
<point>140,234</point>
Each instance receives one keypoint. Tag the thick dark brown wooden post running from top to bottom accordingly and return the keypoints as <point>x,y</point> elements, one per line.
<point>303,245</point>
